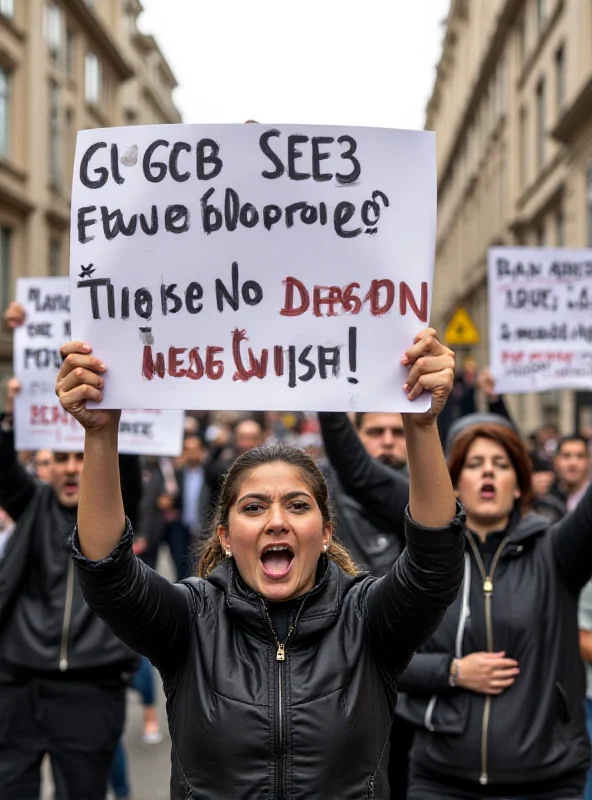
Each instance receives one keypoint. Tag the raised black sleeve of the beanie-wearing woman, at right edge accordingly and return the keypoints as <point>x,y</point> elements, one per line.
<point>571,539</point>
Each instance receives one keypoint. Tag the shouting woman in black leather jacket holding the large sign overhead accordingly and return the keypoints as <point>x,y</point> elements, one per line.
<point>279,663</point>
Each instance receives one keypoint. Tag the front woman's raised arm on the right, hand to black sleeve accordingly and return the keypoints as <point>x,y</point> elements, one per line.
<point>405,607</point>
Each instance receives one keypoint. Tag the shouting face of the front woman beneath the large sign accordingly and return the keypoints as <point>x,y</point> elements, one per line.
<point>276,532</point>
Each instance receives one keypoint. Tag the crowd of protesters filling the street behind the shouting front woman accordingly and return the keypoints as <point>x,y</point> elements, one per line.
<point>493,703</point>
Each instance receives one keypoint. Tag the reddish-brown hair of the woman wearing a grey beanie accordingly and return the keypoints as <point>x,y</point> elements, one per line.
<point>512,444</point>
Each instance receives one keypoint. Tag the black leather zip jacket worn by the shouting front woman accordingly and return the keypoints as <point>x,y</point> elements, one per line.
<point>246,724</point>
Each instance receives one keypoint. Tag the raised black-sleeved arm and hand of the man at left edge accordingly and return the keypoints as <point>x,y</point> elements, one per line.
<point>17,487</point>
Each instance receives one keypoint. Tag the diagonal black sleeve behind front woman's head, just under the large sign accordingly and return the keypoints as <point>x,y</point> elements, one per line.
<point>380,489</point>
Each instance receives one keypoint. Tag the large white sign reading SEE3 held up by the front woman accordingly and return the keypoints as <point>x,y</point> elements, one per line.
<point>251,266</point>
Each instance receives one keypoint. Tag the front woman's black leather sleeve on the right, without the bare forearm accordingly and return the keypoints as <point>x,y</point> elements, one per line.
<point>404,608</point>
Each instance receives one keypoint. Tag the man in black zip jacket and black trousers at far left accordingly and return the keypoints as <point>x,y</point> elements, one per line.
<point>62,672</point>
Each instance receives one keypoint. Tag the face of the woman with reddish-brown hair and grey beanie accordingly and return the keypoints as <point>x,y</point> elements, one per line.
<point>487,486</point>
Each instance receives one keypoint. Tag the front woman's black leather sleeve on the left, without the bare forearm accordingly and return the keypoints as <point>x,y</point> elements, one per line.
<point>151,615</point>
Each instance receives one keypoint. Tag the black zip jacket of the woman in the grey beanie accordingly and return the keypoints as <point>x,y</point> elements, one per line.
<point>535,731</point>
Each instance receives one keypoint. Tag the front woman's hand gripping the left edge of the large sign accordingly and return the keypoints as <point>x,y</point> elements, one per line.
<point>80,379</point>
